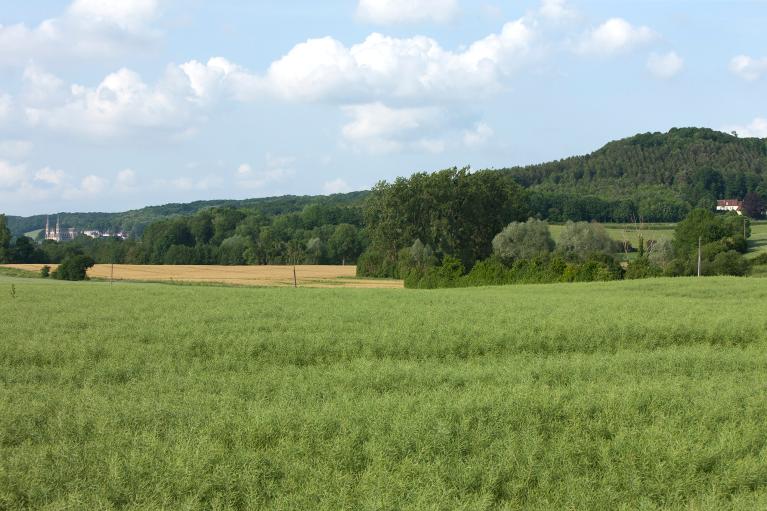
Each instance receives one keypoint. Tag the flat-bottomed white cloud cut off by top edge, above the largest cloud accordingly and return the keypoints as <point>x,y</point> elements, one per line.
<point>387,12</point>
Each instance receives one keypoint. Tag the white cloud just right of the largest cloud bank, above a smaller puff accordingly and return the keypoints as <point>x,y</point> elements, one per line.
<point>614,36</point>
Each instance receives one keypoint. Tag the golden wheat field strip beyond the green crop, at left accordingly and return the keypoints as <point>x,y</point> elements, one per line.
<point>272,276</point>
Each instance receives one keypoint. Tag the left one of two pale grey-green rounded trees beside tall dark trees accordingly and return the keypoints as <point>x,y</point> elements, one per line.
<point>523,241</point>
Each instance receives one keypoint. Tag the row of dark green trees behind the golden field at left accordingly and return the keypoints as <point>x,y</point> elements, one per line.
<point>318,234</point>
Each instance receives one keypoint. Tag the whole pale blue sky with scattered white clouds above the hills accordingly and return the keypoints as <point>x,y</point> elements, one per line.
<point>109,105</point>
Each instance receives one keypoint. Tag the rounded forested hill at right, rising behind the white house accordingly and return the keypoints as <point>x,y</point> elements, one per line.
<point>656,176</point>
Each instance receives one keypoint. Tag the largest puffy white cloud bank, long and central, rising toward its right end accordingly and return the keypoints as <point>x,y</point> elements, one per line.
<point>382,66</point>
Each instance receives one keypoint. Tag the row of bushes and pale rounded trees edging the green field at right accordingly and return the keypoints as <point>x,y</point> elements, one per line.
<point>525,252</point>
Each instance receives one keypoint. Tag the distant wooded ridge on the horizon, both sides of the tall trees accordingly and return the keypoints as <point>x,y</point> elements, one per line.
<point>655,176</point>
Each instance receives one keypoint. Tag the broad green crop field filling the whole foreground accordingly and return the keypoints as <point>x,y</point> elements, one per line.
<point>624,395</point>
